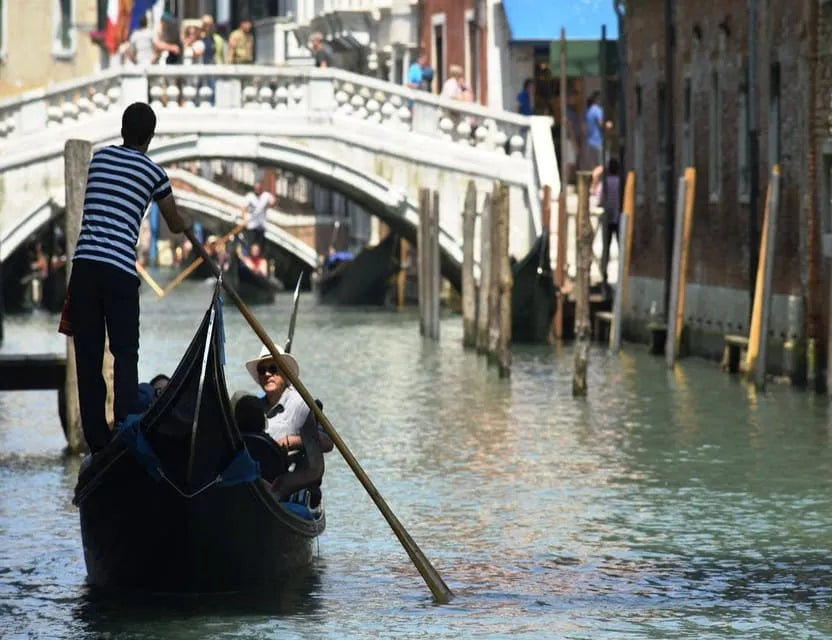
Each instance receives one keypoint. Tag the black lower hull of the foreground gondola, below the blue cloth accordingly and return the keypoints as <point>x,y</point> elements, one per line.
<point>141,534</point>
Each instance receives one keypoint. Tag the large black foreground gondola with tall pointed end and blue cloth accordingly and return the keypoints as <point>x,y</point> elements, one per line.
<point>177,502</point>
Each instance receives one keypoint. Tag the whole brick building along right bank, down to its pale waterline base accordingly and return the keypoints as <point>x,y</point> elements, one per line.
<point>713,84</point>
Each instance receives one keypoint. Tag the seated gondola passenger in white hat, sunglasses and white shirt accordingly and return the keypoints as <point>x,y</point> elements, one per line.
<point>286,414</point>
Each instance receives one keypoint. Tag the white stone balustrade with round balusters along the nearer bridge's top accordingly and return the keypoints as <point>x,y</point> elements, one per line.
<point>323,91</point>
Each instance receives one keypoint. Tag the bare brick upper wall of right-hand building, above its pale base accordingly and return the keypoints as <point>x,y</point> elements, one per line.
<point>712,39</point>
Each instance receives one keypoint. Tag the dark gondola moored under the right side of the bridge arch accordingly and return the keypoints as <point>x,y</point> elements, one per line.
<point>364,280</point>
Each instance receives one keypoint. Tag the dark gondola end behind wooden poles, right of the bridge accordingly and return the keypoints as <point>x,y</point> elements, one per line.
<point>533,294</point>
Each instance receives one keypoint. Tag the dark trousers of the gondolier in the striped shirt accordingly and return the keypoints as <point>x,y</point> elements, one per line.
<point>104,296</point>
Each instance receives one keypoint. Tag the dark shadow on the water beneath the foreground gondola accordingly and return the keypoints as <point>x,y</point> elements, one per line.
<point>101,612</point>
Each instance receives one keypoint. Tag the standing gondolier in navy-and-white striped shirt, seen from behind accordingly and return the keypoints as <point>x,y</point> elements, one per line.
<point>104,287</point>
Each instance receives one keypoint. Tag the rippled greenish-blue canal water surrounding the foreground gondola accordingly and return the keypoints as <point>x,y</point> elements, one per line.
<point>667,504</point>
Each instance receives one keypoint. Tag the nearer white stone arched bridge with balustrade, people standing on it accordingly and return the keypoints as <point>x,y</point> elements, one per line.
<point>374,141</point>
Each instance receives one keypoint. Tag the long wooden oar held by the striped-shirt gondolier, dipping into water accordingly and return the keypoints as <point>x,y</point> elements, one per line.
<point>441,593</point>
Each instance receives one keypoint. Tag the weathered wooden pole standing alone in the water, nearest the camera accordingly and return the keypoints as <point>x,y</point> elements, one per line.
<point>583,245</point>
